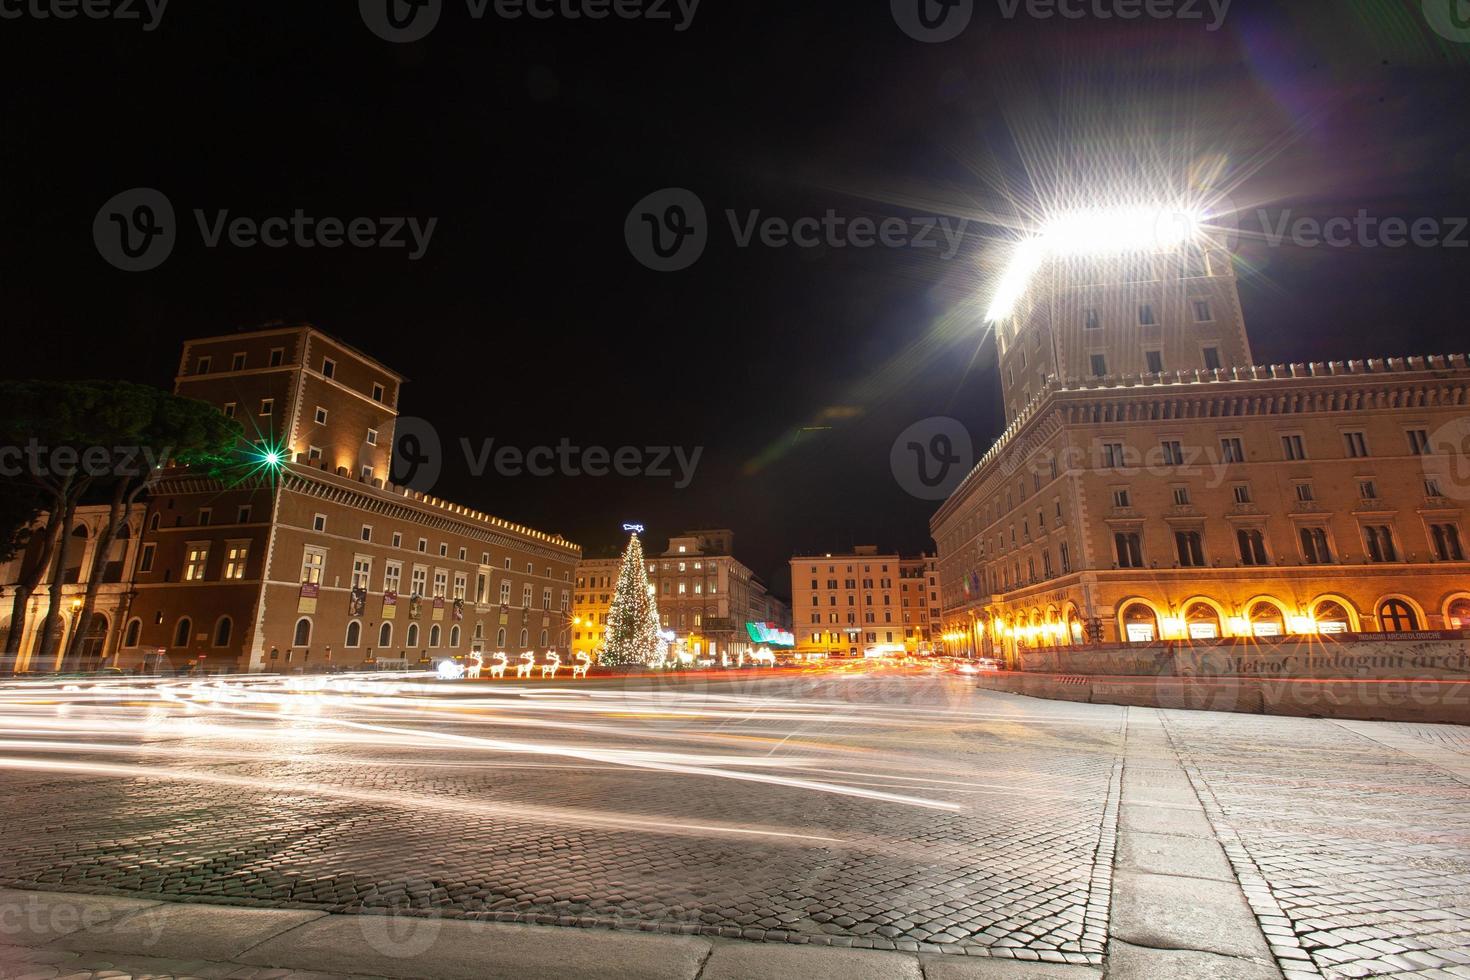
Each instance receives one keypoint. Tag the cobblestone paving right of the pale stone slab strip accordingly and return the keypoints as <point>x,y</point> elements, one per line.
<point>1356,854</point>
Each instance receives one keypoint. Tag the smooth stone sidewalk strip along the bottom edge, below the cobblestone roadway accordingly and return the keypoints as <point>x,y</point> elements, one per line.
<point>67,935</point>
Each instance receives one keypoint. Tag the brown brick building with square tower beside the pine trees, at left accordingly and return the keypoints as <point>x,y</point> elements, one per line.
<point>318,559</point>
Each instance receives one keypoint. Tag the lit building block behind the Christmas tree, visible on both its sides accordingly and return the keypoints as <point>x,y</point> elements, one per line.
<point>706,597</point>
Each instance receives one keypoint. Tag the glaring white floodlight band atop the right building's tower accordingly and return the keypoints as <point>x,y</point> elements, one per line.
<point>1091,233</point>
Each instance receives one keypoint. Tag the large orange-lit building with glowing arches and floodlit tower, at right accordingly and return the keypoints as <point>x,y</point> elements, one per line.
<point>1155,484</point>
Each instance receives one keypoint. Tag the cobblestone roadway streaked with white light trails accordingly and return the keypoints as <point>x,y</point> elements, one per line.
<point>874,812</point>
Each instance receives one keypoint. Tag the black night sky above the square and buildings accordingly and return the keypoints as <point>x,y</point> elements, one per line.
<point>528,321</point>
